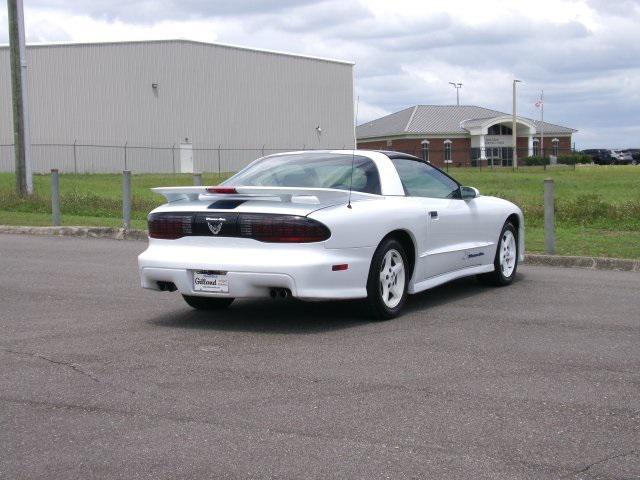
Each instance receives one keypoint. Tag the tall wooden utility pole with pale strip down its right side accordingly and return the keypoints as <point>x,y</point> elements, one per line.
<point>21,138</point>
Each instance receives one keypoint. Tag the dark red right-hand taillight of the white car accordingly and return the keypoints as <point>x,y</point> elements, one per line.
<point>282,228</point>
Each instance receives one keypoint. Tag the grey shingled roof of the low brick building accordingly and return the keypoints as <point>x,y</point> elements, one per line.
<point>438,120</point>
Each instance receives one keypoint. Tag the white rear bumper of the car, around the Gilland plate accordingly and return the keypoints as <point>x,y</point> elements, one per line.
<point>254,268</point>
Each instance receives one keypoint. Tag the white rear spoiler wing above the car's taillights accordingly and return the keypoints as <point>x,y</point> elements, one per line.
<point>283,194</point>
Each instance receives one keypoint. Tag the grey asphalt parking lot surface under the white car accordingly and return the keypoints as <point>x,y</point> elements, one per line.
<point>100,379</point>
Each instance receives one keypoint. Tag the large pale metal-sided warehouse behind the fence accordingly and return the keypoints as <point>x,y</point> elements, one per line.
<point>99,107</point>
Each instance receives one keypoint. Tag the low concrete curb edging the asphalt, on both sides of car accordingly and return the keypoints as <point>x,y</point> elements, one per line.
<point>593,263</point>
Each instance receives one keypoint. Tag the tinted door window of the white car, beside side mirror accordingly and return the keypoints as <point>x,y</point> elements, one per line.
<point>422,180</point>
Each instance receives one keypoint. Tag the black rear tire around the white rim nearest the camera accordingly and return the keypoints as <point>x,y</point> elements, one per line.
<point>378,309</point>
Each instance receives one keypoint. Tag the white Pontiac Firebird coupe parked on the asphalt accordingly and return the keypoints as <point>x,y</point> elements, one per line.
<point>326,225</point>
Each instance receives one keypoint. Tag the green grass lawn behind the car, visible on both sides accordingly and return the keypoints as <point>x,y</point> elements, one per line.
<point>598,208</point>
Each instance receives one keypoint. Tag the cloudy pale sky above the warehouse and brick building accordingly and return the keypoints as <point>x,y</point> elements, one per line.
<point>584,53</point>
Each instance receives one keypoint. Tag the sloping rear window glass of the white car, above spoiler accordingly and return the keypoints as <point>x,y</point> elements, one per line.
<point>311,170</point>
